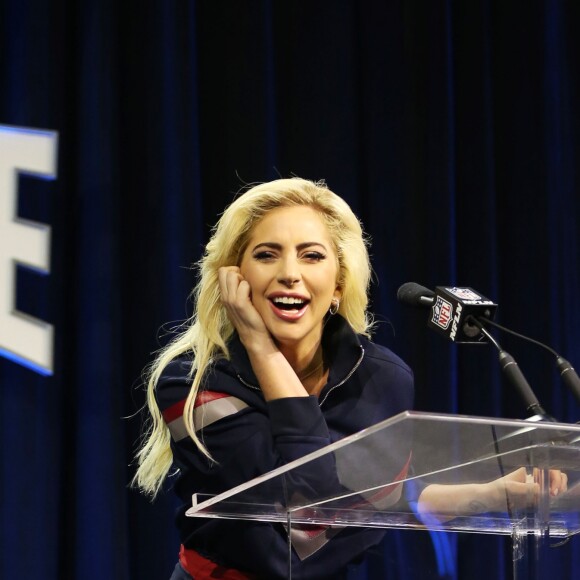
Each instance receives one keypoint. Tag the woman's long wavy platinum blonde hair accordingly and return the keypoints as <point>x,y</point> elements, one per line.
<point>205,335</point>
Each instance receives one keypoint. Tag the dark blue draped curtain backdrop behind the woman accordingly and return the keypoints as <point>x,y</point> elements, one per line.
<point>452,129</point>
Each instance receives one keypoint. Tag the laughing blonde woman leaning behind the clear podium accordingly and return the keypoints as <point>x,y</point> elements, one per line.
<point>275,363</point>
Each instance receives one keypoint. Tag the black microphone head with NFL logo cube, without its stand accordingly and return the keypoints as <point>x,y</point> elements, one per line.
<point>451,310</point>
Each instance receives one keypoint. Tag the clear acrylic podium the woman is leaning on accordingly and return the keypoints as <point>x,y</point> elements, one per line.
<point>375,477</point>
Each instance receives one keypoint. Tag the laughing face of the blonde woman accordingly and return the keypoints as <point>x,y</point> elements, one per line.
<point>292,269</point>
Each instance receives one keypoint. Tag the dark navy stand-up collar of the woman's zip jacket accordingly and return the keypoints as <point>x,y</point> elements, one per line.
<point>340,344</point>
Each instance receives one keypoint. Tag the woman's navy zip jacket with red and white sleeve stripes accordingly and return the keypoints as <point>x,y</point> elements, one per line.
<point>367,383</point>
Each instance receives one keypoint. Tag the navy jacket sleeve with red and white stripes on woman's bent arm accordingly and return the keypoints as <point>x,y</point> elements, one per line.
<point>245,437</point>
